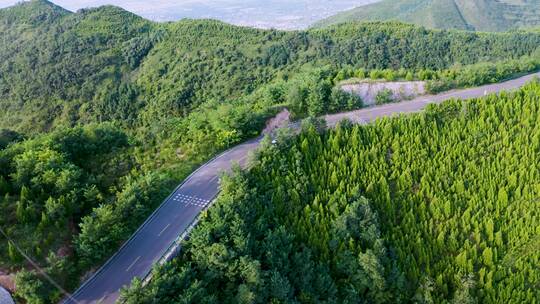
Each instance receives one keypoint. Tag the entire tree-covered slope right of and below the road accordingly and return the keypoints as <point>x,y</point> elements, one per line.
<point>437,207</point>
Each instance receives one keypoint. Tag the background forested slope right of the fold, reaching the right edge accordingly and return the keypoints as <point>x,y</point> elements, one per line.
<point>210,60</point>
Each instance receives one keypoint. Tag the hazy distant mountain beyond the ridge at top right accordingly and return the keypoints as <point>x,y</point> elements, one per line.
<point>479,15</point>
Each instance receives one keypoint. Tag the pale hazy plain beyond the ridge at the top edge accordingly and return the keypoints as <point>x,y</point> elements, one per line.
<point>281,14</point>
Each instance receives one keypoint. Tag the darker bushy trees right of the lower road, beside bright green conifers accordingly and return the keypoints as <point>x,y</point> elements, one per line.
<point>270,246</point>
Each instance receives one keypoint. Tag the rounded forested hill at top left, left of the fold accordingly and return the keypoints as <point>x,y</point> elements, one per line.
<point>54,62</point>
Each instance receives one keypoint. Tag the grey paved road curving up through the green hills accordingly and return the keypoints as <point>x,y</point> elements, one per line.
<point>149,243</point>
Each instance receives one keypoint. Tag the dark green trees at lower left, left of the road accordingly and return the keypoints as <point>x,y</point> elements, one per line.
<point>52,184</point>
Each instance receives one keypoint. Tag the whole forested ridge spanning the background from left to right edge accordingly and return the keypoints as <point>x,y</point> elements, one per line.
<point>62,68</point>
